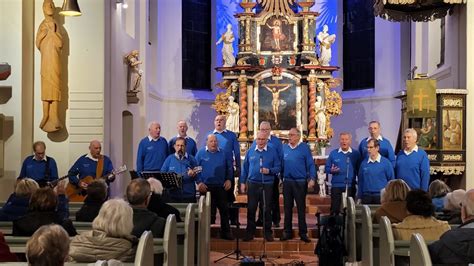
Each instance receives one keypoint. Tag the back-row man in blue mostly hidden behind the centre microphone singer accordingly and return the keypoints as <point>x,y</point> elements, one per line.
<point>275,143</point>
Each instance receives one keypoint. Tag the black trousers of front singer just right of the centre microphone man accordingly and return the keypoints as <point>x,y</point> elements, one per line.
<point>295,192</point>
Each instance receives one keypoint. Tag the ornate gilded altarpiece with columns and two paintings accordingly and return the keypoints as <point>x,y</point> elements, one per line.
<point>277,77</point>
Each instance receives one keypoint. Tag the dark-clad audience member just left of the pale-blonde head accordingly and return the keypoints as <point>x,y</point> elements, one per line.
<point>96,196</point>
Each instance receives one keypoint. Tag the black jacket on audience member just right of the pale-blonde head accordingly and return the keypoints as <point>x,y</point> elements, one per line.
<point>144,219</point>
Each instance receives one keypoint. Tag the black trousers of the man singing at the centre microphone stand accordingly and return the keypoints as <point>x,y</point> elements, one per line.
<point>255,197</point>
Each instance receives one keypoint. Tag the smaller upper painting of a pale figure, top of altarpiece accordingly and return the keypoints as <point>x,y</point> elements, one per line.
<point>277,34</point>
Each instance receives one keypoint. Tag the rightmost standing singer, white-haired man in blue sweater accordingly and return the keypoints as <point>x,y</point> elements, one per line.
<point>413,165</point>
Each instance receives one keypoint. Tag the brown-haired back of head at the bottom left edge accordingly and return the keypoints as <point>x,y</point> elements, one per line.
<point>49,245</point>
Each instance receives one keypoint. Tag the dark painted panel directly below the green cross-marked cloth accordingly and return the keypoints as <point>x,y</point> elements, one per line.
<point>427,132</point>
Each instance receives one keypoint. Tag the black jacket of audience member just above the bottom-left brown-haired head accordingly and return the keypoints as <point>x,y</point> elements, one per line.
<point>28,224</point>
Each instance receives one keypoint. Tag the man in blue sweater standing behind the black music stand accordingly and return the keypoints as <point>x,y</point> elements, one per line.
<point>185,165</point>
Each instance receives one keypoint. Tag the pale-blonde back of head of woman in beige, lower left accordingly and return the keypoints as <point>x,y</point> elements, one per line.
<point>115,218</point>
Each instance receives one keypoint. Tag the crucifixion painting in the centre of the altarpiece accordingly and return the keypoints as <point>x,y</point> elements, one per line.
<point>277,103</point>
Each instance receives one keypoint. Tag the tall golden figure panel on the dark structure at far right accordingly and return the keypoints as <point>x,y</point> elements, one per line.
<point>452,129</point>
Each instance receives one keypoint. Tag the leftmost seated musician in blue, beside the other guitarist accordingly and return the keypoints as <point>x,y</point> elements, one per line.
<point>38,166</point>
